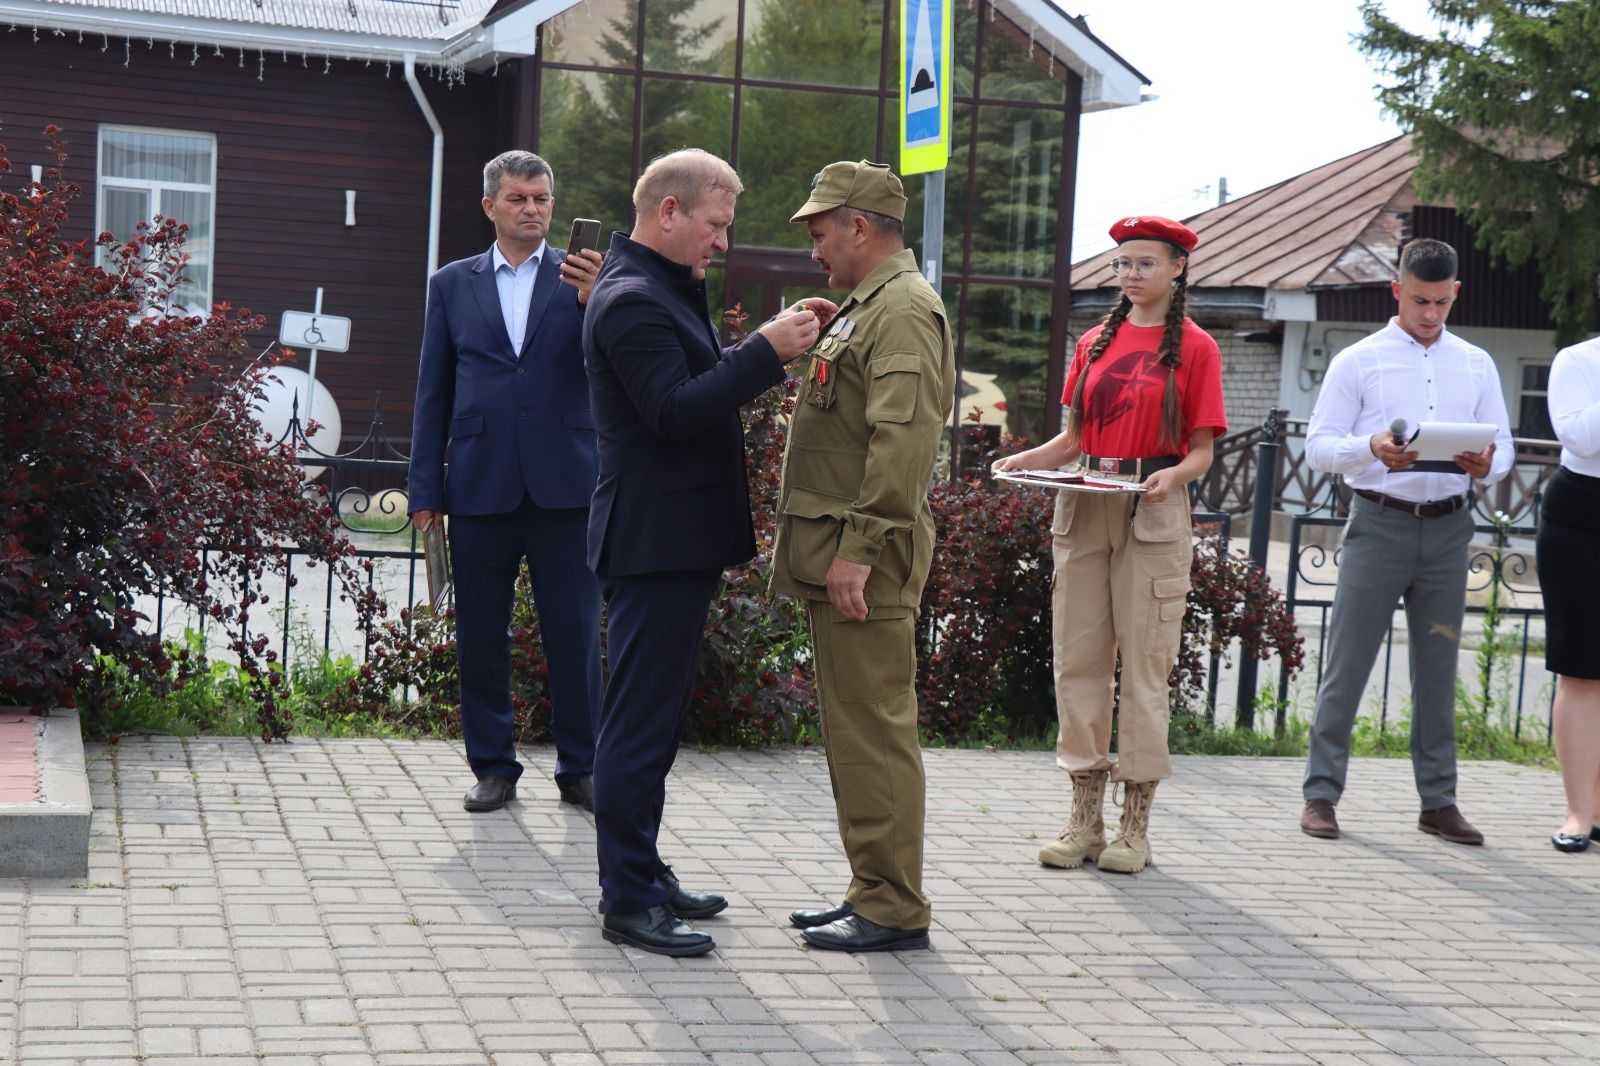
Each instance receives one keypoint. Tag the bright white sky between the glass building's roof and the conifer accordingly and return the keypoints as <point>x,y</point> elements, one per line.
<point>1250,90</point>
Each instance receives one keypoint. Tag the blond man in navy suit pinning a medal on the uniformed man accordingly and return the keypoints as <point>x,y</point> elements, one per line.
<point>670,515</point>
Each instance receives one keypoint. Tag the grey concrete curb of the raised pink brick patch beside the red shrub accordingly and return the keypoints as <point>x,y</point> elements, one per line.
<point>49,836</point>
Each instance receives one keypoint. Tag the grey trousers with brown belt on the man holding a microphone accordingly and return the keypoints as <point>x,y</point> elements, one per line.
<point>1390,555</point>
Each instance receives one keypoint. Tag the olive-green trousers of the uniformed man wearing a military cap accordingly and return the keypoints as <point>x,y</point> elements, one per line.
<point>866,686</point>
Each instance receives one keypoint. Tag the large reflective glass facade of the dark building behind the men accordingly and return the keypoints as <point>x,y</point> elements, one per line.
<point>785,87</point>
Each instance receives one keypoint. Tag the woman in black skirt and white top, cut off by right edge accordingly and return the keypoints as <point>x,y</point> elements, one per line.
<point>1569,550</point>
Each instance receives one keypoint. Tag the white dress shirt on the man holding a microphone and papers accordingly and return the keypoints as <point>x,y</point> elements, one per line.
<point>1391,375</point>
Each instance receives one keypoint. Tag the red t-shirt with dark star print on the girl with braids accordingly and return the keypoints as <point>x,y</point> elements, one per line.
<point>1122,398</point>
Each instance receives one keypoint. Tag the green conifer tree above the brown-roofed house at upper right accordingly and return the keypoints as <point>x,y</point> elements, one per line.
<point>1506,126</point>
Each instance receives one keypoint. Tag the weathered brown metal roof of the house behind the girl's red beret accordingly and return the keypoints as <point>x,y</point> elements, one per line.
<point>1337,225</point>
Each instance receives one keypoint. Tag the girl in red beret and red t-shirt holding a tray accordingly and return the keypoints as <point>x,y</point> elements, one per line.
<point>1145,398</point>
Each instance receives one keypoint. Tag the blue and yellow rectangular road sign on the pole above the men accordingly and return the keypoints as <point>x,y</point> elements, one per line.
<point>927,30</point>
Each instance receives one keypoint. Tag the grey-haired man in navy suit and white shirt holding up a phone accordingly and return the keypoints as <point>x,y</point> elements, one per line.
<point>503,387</point>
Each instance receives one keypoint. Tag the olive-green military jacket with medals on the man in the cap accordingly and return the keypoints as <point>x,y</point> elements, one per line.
<point>874,399</point>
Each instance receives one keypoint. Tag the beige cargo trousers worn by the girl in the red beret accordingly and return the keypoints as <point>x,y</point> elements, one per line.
<point>1121,591</point>
